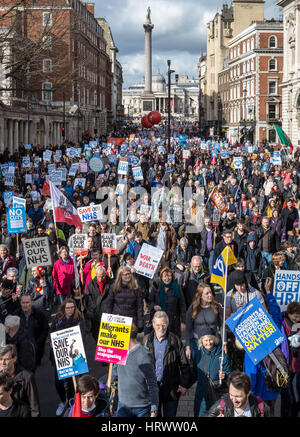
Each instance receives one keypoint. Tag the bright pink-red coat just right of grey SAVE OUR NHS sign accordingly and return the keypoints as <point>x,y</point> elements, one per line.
<point>63,276</point>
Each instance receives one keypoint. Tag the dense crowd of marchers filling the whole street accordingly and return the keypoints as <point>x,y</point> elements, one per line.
<point>178,315</point>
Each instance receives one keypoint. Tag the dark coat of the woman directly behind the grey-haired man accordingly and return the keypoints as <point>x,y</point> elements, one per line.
<point>175,307</point>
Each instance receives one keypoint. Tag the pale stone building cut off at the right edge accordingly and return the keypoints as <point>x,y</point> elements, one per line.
<point>291,70</point>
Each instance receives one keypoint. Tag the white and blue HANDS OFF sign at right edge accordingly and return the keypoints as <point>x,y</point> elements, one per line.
<point>286,287</point>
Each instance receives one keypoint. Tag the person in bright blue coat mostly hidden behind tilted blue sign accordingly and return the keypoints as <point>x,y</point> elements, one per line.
<point>257,372</point>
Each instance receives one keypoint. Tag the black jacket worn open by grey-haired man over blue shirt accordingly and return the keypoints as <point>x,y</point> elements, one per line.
<point>176,367</point>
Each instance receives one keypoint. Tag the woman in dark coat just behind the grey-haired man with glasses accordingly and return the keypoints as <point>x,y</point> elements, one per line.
<point>166,295</point>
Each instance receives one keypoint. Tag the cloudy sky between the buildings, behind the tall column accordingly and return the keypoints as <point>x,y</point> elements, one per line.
<point>179,32</point>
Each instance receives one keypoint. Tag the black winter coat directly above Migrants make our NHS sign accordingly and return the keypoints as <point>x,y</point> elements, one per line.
<point>126,302</point>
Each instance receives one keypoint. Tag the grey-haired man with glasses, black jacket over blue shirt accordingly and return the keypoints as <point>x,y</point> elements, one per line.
<point>172,367</point>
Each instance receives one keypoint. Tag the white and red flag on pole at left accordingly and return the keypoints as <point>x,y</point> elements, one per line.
<point>63,210</point>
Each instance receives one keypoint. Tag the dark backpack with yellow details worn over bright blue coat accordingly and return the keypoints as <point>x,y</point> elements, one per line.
<point>277,374</point>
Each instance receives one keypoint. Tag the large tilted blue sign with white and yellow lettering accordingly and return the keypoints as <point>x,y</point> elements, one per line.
<point>255,330</point>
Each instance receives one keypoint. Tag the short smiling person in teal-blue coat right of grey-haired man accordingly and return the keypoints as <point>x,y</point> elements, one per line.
<point>207,361</point>
